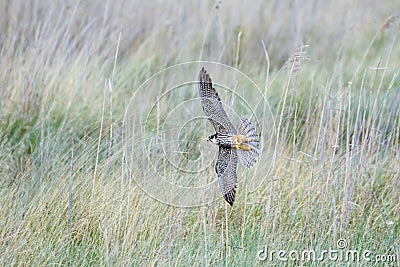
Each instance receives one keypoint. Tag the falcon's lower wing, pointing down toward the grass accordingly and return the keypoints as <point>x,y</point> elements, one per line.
<point>226,169</point>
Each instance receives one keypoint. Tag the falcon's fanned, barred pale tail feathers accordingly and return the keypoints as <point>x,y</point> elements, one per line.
<point>248,158</point>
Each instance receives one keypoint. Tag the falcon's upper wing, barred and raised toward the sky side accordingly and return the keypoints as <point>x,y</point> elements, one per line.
<point>212,105</point>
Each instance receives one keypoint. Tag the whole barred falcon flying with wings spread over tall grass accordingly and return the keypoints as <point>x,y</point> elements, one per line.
<point>241,143</point>
